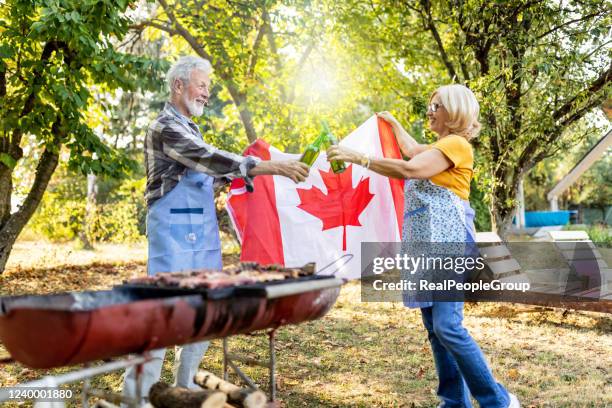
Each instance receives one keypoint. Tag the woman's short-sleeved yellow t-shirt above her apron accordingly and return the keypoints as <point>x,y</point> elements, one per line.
<point>457,177</point>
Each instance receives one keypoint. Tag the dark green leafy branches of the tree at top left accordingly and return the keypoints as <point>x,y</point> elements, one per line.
<point>52,52</point>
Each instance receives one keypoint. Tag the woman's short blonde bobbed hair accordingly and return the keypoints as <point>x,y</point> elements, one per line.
<point>462,108</point>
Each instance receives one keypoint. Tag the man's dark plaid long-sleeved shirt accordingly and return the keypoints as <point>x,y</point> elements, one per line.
<point>174,143</point>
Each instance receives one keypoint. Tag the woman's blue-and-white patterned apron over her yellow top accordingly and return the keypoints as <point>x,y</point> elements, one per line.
<point>434,214</point>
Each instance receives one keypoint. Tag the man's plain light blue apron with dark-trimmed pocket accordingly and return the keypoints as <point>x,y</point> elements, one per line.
<point>182,227</point>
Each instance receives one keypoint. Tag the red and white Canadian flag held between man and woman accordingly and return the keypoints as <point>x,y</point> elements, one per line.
<point>325,218</point>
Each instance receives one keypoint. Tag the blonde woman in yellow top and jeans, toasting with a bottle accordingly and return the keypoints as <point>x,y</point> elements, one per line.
<point>437,210</point>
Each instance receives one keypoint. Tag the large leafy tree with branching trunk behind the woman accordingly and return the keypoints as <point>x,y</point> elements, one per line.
<point>536,68</point>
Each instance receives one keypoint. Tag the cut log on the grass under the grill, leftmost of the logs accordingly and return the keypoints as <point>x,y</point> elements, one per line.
<point>162,395</point>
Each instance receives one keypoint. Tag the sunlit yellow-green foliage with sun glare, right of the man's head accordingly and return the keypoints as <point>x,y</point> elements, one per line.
<point>275,78</point>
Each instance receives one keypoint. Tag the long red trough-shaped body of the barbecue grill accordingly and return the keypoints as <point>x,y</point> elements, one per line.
<point>64,329</point>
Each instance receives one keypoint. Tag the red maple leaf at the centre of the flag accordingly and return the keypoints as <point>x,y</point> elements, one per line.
<point>342,204</point>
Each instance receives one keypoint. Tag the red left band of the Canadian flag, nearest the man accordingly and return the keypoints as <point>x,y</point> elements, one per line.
<point>262,245</point>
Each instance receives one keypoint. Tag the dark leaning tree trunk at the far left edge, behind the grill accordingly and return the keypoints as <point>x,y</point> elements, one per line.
<point>14,223</point>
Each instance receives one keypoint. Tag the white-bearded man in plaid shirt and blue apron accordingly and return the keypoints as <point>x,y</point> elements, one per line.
<point>181,221</point>
